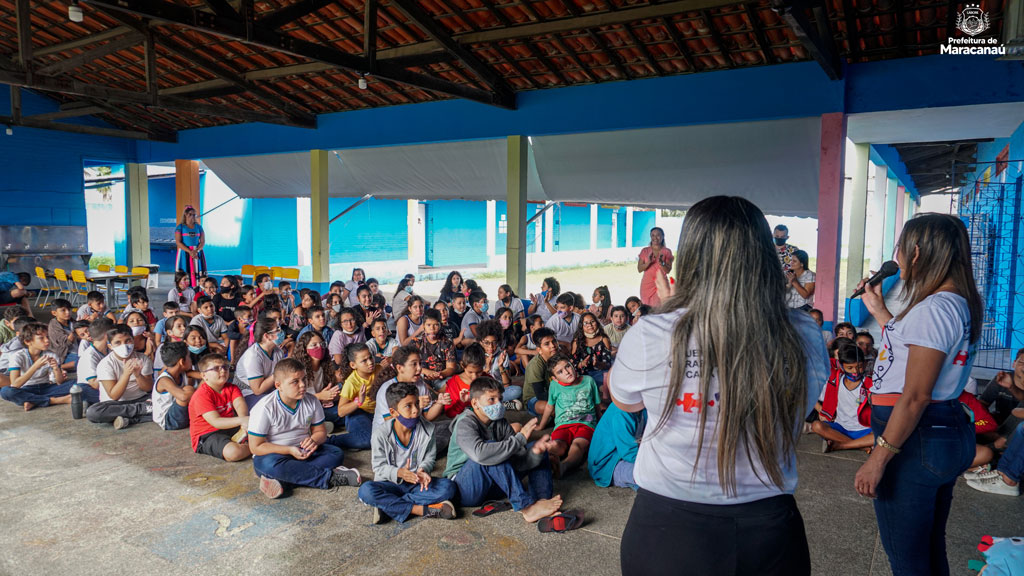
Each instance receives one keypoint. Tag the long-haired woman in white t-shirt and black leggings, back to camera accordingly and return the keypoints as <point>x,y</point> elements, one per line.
<point>717,467</point>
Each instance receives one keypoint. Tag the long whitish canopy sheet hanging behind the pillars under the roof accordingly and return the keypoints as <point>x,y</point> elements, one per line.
<point>773,163</point>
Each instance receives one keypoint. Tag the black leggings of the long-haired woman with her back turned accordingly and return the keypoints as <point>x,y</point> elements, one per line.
<point>668,537</point>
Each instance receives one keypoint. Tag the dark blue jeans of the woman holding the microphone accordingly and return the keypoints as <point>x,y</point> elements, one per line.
<point>917,489</point>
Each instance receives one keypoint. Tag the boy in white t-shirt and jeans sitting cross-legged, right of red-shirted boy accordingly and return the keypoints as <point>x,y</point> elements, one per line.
<point>287,438</point>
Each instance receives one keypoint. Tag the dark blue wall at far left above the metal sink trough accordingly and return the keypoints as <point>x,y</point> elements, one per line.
<point>42,182</point>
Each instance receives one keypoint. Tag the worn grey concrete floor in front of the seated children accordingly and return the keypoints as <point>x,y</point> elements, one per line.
<point>83,499</point>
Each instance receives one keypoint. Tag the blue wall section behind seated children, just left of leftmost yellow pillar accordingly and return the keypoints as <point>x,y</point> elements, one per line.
<point>274,236</point>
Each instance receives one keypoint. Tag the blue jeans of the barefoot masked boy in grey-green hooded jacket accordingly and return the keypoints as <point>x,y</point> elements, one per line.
<point>479,484</point>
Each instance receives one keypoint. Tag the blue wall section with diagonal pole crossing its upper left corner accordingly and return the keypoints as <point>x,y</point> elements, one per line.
<point>377,230</point>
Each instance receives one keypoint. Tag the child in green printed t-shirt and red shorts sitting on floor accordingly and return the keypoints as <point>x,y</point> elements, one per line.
<point>573,400</point>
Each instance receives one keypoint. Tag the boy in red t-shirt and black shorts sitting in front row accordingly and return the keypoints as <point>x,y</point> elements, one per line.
<point>218,413</point>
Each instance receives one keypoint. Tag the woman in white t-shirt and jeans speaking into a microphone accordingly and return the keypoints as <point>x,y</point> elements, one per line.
<point>924,439</point>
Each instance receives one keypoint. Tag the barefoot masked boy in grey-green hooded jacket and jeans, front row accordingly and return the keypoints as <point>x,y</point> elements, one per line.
<point>487,458</point>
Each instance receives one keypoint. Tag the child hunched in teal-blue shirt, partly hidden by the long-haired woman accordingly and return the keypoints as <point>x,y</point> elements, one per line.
<point>615,446</point>
